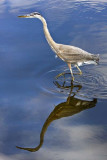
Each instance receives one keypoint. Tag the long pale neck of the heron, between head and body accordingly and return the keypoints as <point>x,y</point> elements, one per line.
<point>51,42</point>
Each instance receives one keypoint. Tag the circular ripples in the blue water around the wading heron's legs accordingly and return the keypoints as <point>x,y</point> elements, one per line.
<point>93,82</point>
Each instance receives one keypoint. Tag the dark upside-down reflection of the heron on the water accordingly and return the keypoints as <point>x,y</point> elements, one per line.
<point>72,106</point>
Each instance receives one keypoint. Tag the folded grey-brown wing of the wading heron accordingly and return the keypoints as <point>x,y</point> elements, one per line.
<point>74,54</point>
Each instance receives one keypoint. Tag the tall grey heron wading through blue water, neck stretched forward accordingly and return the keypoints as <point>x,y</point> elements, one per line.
<point>68,53</point>
